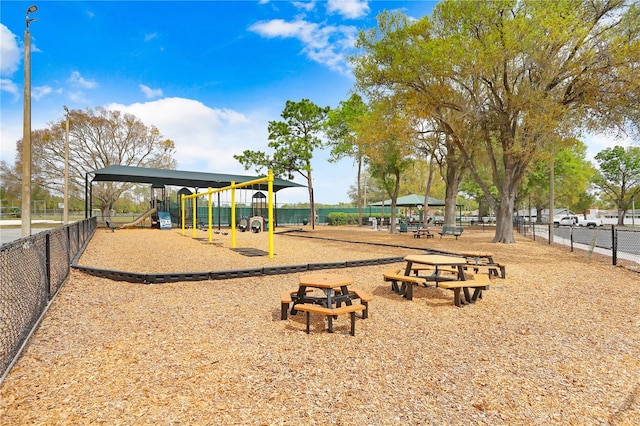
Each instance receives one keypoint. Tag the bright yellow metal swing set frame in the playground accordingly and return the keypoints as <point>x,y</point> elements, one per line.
<point>209,193</point>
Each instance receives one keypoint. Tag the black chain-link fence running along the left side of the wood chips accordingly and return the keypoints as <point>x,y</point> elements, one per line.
<point>32,271</point>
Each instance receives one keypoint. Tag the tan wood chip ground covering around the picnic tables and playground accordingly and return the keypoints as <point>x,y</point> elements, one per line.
<point>556,342</point>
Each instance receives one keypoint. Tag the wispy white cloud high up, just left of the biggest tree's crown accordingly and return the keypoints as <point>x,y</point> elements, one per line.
<point>327,45</point>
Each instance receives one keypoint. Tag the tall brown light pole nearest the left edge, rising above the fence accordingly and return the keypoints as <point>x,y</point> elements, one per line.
<point>26,131</point>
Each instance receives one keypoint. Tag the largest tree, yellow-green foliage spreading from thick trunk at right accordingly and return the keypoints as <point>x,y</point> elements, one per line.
<point>516,75</point>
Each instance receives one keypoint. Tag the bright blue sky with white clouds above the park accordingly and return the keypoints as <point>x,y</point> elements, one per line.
<point>209,75</point>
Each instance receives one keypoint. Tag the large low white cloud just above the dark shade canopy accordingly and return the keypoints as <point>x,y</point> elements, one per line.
<point>207,138</point>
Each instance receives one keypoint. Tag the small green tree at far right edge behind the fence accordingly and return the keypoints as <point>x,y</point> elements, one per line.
<point>619,177</point>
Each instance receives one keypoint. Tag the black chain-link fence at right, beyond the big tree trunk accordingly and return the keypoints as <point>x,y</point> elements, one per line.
<point>619,245</point>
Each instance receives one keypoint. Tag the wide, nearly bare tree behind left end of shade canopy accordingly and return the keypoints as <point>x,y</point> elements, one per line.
<point>97,139</point>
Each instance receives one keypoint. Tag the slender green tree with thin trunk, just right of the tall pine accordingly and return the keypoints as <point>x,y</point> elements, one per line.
<point>343,138</point>
